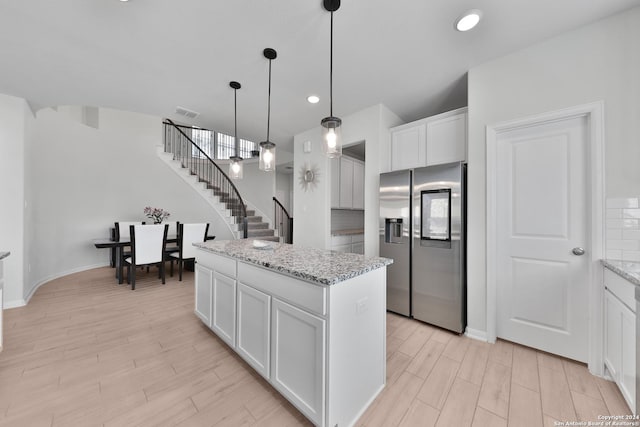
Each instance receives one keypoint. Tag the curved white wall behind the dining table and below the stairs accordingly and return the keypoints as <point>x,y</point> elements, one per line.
<point>78,180</point>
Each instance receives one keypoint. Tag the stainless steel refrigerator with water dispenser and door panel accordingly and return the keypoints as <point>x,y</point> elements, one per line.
<point>422,228</point>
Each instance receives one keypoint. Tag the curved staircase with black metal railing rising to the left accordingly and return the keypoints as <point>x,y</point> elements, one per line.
<point>190,162</point>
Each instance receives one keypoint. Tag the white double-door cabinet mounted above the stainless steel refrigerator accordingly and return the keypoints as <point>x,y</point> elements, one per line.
<point>431,141</point>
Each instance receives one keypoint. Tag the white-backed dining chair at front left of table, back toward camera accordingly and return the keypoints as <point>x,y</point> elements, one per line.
<point>148,243</point>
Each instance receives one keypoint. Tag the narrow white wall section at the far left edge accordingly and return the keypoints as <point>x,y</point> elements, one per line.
<point>14,128</point>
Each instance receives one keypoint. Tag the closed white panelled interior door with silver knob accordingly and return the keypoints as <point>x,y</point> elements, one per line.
<point>542,216</point>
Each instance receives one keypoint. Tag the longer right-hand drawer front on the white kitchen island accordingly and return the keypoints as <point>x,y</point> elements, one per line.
<point>305,295</point>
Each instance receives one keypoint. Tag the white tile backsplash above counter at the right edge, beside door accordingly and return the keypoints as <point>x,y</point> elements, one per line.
<point>623,229</point>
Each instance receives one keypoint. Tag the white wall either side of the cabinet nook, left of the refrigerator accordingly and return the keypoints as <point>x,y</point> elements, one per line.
<point>312,211</point>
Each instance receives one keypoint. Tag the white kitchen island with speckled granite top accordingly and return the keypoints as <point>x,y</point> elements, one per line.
<point>312,322</point>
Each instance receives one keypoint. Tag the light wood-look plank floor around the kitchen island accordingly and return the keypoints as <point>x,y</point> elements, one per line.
<point>87,352</point>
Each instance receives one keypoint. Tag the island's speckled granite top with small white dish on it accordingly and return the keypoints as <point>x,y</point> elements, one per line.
<point>357,266</point>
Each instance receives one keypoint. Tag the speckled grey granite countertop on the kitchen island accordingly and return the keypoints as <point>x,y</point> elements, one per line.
<point>315,265</point>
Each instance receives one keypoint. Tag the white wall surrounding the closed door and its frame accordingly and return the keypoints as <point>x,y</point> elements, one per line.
<point>598,62</point>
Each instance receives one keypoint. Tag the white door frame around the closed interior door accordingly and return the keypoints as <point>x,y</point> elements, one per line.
<point>594,113</point>
